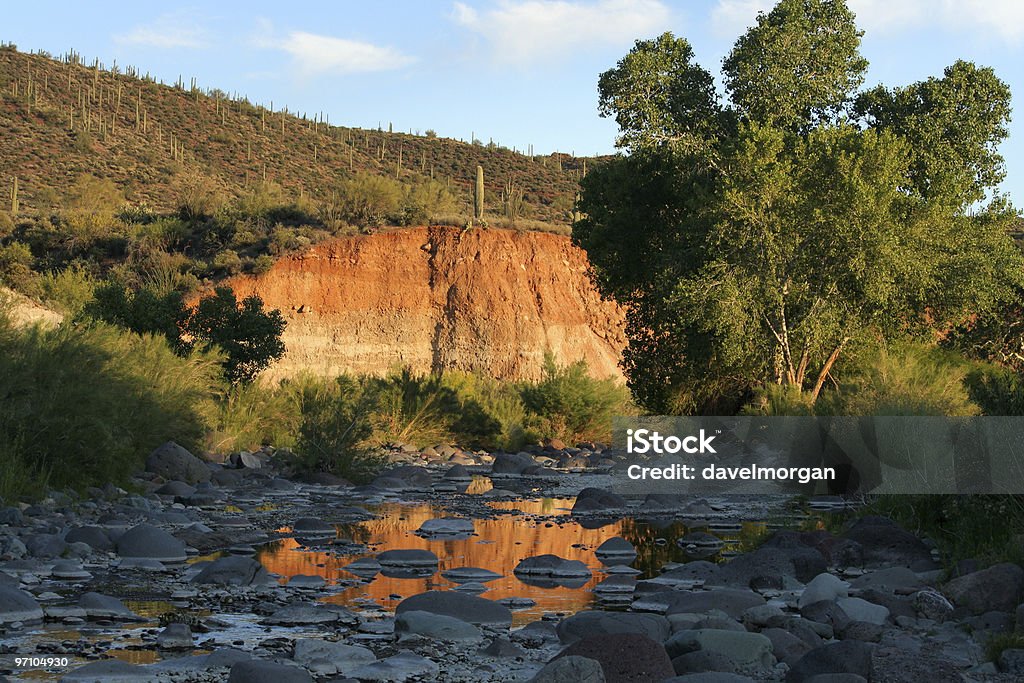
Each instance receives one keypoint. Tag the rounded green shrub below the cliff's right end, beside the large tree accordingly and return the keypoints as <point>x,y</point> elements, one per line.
<point>569,404</point>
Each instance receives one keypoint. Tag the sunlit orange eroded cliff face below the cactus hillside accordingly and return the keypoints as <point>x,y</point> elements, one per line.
<point>440,298</point>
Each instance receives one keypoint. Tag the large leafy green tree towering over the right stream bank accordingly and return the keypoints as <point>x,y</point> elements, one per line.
<point>756,241</point>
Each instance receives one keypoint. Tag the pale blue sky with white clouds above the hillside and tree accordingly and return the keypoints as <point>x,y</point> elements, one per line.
<point>522,72</point>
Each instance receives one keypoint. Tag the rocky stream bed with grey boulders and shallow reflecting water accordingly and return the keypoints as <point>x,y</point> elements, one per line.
<point>471,567</point>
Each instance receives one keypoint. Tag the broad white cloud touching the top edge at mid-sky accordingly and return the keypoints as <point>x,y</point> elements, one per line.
<point>530,31</point>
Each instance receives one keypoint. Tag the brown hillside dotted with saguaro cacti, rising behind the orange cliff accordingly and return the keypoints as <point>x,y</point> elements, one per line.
<point>63,118</point>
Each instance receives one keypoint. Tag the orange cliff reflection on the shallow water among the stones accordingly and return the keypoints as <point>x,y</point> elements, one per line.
<point>499,545</point>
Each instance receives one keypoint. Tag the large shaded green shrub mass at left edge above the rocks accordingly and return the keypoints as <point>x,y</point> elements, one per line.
<point>84,407</point>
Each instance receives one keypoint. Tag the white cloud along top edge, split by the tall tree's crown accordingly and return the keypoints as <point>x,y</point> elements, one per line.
<point>1003,19</point>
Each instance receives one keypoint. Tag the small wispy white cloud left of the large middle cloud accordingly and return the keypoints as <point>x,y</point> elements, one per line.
<point>316,55</point>
